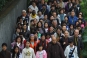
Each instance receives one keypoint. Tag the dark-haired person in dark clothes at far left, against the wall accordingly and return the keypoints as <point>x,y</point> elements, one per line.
<point>5,53</point>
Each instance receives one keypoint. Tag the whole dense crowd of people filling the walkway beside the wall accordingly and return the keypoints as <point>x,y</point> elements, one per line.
<point>48,29</point>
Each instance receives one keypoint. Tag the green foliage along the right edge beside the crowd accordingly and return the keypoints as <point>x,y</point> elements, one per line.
<point>84,35</point>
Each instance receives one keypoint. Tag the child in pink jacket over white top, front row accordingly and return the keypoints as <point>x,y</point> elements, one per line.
<point>41,53</point>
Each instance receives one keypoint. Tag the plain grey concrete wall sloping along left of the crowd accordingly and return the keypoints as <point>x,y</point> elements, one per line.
<point>8,22</point>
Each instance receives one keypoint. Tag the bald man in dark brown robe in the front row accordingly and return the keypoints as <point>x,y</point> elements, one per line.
<point>54,49</point>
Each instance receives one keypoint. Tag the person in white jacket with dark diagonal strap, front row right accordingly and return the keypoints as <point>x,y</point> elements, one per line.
<point>71,50</point>
